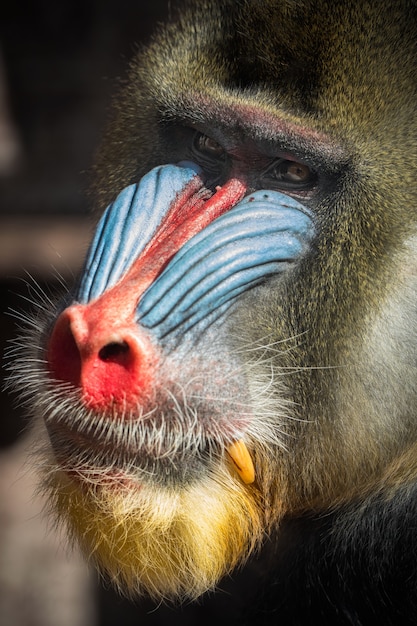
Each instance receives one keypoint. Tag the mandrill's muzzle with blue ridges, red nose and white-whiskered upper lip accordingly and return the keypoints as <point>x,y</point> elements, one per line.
<point>154,297</point>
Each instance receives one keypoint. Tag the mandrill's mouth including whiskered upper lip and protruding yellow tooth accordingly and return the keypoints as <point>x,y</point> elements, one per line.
<point>174,441</point>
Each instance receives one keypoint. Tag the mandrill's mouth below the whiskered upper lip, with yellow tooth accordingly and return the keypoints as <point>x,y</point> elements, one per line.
<point>86,458</point>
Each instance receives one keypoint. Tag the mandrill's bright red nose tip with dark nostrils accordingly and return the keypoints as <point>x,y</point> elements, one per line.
<point>111,361</point>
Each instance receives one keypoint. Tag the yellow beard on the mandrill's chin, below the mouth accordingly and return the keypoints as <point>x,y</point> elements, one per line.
<point>168,543</point>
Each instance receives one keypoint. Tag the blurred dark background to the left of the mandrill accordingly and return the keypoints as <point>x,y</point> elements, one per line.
<point>59,67</point>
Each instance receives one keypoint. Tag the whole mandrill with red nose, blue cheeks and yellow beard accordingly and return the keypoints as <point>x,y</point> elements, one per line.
<point>238,360</point>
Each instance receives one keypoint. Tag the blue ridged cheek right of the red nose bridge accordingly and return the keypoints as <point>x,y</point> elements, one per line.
<point>257,238</point>
